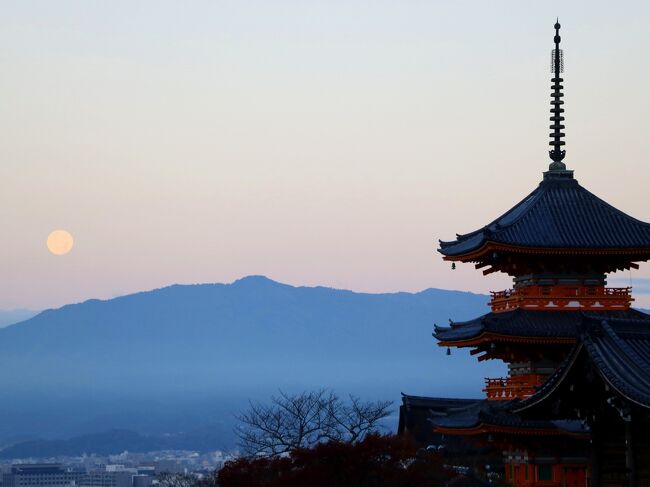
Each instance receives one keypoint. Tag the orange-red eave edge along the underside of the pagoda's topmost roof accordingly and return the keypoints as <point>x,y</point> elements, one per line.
<point>478,254</point>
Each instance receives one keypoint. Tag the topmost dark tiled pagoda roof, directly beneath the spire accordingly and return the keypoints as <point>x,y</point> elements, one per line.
<point>558,215</point>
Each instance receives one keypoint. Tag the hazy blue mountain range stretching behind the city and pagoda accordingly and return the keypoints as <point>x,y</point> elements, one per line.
<point>187,357</point>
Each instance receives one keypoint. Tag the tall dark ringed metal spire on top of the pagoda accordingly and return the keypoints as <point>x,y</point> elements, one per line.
<point>557,67</point>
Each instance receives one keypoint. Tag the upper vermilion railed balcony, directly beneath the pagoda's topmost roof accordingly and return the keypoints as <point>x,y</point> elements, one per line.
<point>562,297</point>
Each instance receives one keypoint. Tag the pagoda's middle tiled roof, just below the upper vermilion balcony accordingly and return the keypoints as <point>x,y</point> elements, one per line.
<point>535,326</point>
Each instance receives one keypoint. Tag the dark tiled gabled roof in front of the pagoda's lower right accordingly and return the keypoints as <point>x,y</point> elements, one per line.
<point>619,350</point>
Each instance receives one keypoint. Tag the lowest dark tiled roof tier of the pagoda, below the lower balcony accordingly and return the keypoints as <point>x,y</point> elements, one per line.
<point>482,416</point>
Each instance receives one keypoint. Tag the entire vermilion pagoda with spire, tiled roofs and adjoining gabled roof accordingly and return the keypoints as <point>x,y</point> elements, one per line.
<point>574,409</point>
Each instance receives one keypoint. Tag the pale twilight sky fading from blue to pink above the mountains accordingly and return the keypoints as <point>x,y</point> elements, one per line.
<point>316,142</point>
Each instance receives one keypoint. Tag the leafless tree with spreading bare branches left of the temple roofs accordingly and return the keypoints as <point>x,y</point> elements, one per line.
<point>306,419</point>
